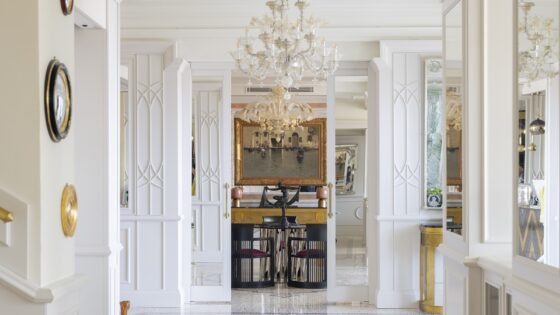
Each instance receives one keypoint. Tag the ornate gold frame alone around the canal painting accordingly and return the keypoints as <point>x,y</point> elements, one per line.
<point>259,181</point>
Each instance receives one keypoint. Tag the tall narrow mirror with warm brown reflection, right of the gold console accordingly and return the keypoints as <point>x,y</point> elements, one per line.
<point>453,117</point>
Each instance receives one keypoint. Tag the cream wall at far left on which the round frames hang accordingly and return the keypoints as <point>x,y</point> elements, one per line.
<point>34,170</point>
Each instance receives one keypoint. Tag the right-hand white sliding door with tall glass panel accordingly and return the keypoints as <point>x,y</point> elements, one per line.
<point>350,263</point>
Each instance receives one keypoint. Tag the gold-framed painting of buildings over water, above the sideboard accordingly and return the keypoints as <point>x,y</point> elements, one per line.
<point>292,157</point>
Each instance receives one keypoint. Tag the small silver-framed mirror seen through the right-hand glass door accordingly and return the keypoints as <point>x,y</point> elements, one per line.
<point>346,166</point>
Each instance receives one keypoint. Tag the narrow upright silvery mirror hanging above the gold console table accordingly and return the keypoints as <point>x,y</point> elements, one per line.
<point>433,142</point>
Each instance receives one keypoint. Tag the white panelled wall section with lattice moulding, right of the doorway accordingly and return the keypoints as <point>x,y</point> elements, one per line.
<point>399,118</point>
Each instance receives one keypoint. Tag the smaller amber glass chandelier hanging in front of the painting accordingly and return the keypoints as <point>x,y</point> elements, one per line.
<point>277,114</point>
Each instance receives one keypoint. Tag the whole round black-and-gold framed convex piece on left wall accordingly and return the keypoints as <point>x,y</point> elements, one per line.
<point>58,100</point>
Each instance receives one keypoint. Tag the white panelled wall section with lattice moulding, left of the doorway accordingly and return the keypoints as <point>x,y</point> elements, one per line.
<point>151,226</point>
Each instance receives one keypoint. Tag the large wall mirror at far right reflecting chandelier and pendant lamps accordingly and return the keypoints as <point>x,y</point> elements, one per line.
<point>536,223</point>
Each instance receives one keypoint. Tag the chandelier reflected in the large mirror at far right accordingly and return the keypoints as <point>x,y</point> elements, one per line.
<point>540,60</point>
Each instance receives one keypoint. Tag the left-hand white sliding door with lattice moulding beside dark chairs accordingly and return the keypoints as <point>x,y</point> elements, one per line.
<point>211,165</point>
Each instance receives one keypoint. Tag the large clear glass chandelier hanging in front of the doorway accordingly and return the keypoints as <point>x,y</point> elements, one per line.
<point>284,49</point>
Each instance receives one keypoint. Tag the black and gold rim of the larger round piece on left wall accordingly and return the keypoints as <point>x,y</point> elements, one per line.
<point>53,70</point>
